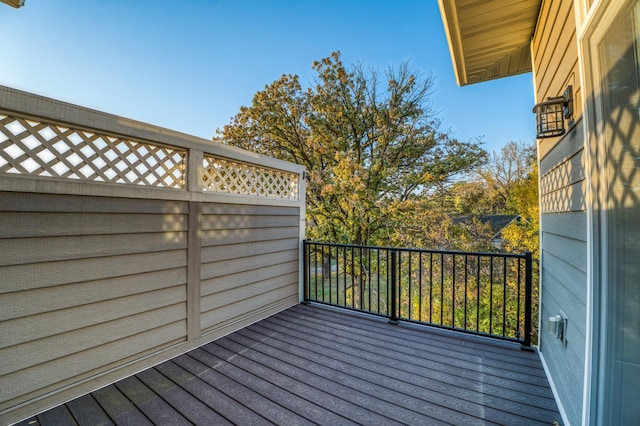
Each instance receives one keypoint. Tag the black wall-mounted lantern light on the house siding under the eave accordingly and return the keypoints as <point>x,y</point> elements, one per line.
<point>550,114</point>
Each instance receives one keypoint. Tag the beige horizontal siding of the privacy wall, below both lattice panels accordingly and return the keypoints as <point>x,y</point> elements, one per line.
<point>90,284</point>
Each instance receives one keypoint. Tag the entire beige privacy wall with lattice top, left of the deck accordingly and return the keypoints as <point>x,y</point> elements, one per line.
<point>99,280</point>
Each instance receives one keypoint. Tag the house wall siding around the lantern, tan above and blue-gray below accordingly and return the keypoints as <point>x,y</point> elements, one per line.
<point>563,226</point>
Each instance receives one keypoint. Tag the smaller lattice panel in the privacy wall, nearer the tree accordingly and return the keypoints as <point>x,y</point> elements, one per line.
<point>238,178</point>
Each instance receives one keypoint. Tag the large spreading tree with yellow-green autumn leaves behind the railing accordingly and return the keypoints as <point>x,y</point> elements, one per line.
<point>371,146</point>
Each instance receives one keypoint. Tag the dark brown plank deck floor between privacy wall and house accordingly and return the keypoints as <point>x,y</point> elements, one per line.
<point>313,365</point>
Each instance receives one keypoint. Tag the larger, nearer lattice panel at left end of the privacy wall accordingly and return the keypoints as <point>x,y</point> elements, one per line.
<point>29,147</point>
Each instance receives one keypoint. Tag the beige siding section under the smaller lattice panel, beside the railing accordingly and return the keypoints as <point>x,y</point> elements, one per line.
<point>250,257</point>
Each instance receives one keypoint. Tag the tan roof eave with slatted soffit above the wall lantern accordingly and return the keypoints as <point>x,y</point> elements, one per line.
<point>489,39</point>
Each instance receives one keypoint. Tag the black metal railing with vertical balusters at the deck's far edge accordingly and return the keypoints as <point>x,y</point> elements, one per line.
<point>480,293</point>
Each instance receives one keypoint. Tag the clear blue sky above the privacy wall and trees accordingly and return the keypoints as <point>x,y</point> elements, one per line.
<point>190,65</point>
